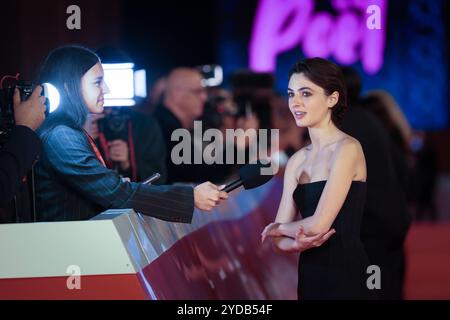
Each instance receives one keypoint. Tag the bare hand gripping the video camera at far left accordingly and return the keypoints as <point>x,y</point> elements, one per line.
<point>30,113</point>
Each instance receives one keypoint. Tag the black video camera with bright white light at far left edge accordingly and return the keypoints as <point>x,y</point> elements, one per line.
<point>25,88</point>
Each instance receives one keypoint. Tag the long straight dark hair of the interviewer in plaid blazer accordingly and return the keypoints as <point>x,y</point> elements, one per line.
<point>64,67</point>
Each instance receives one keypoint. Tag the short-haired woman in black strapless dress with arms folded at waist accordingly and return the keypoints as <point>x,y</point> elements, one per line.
<point>325,182</point>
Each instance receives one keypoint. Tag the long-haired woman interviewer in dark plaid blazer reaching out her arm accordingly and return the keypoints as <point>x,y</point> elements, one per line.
<point>72,180</point>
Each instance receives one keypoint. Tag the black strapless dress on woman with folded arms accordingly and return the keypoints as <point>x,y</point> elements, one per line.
<point>337,269</point>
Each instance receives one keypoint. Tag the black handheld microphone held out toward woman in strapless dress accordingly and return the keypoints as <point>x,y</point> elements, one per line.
<point>250,177</point>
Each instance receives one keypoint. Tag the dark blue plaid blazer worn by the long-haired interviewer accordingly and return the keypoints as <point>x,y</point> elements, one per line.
<point>72,184</point>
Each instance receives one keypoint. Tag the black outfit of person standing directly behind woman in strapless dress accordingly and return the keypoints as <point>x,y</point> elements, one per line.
<point>386,219</point>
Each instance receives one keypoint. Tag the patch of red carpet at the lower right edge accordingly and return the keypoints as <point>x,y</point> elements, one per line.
<point>428,261</point>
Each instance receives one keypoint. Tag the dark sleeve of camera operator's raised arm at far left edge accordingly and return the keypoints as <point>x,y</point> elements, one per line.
<point>16,158</point>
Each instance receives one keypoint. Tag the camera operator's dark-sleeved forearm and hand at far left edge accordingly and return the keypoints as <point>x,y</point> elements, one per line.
<point>23,146</point>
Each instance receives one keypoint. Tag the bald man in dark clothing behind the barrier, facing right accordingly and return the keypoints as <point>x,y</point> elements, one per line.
<point>183,103</point>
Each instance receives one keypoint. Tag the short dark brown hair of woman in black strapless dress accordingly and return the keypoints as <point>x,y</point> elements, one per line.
<point>328,76</point>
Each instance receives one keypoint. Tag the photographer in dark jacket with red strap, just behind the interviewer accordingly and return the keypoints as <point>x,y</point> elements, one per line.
<point>130,143</point>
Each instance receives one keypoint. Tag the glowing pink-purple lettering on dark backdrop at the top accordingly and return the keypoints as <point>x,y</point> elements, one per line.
<point>282,25</point>
